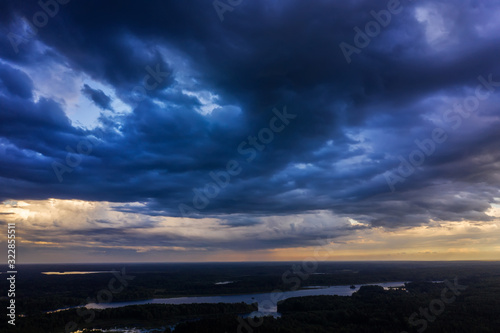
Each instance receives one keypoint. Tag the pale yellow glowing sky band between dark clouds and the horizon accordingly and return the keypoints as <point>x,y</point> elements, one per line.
<point>57,230</point>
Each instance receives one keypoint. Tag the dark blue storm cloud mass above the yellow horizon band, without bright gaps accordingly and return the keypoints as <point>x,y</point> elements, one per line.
<point>352,120</point>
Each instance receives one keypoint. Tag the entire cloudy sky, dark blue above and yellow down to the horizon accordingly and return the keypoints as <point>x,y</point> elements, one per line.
<point>237,130</point>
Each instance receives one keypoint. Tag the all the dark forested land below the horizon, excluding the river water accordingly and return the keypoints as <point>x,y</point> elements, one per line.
<point>429,302</point>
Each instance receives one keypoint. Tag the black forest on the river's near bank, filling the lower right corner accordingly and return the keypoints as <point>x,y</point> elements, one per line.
<point>373,309</point>
